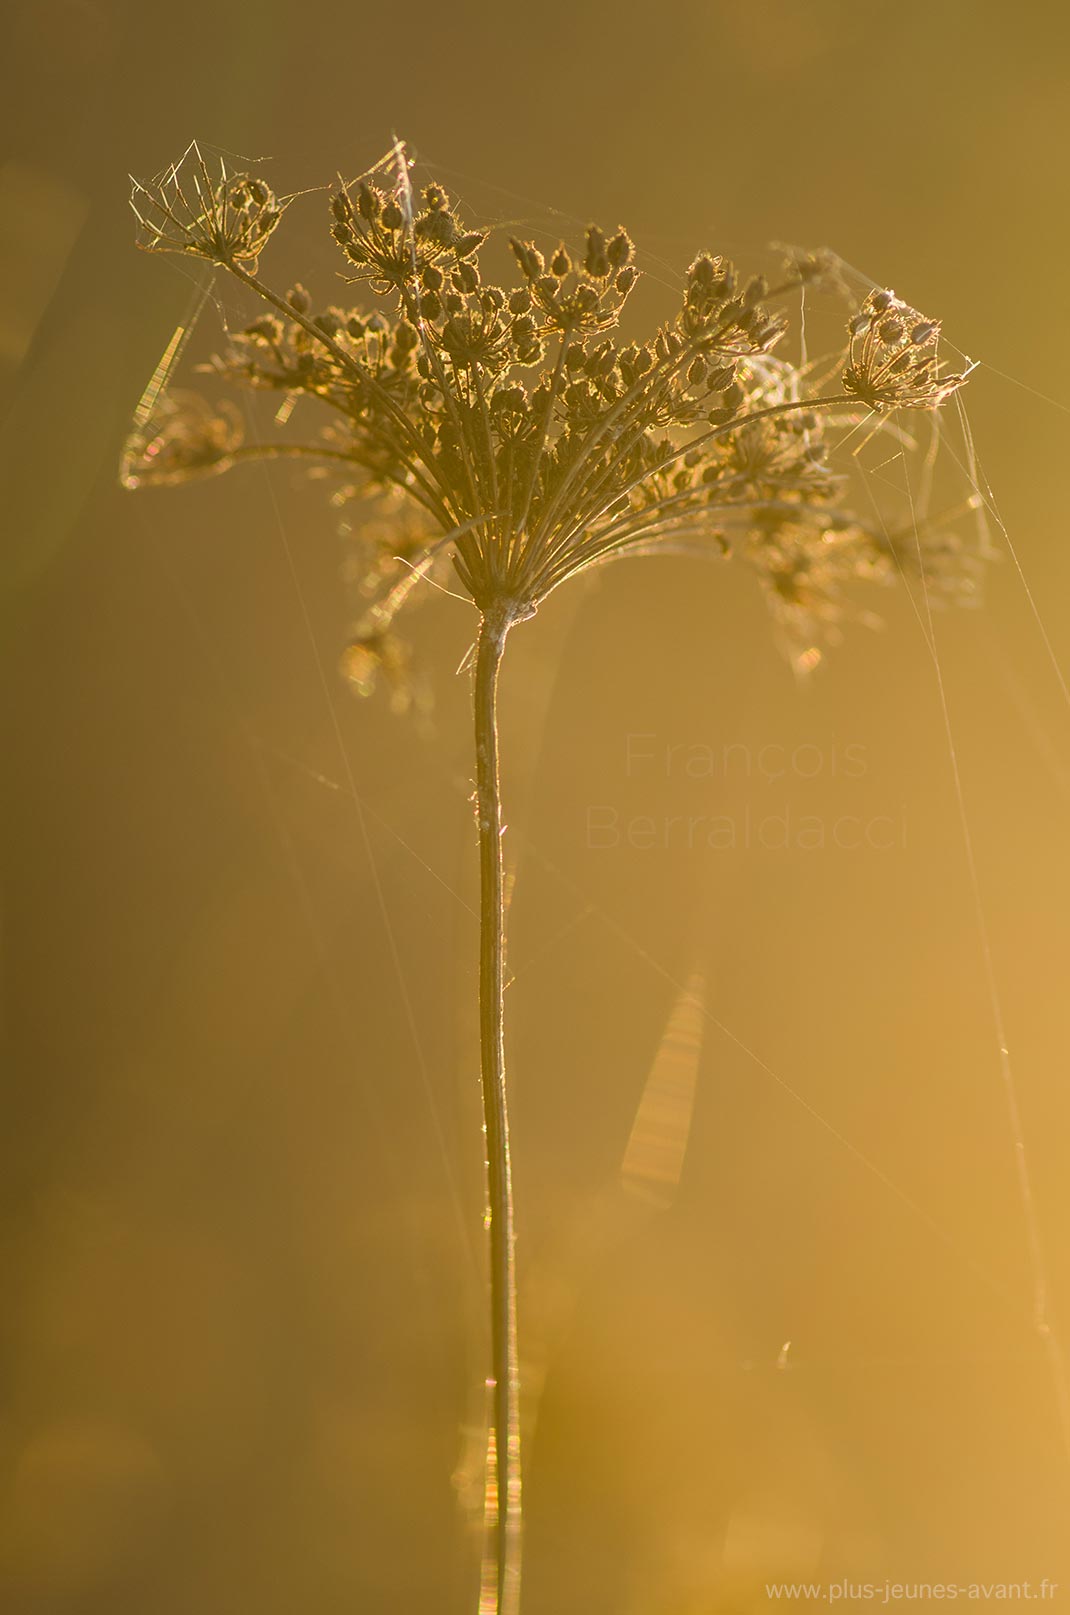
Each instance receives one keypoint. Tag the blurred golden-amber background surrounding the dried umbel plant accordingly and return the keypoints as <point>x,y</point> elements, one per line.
<point>241,1164</point>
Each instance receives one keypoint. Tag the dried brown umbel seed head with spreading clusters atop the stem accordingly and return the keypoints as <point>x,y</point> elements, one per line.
<point>532,438</point>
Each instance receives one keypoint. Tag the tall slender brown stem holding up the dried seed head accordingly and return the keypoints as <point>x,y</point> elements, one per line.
<point>501,1556</point>
